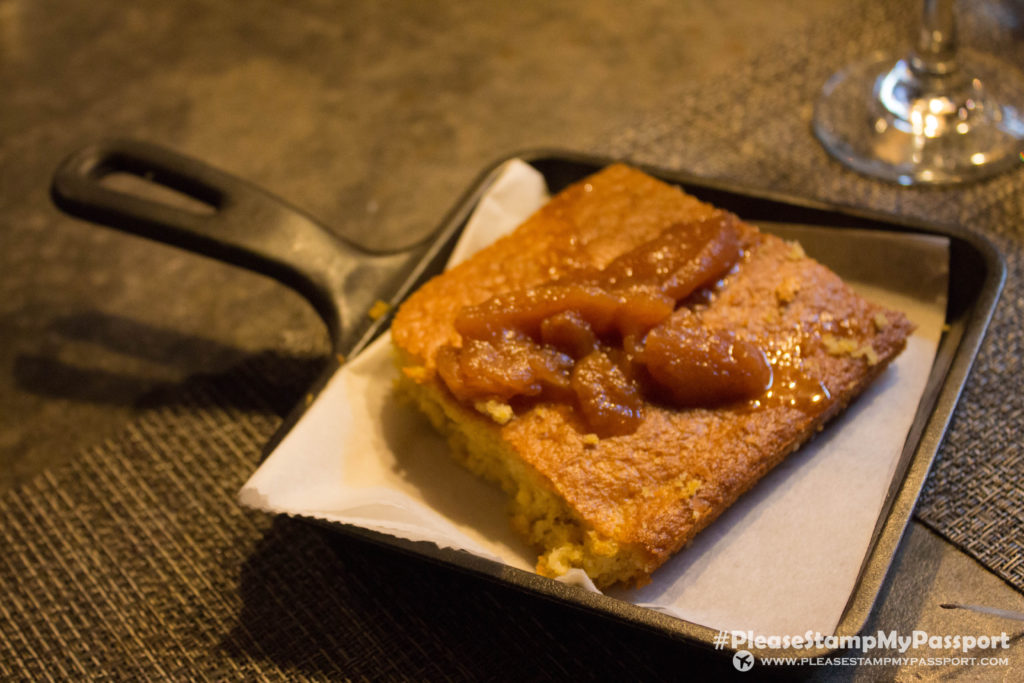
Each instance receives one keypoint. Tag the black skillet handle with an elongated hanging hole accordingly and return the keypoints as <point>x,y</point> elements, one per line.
<point>245,227</point>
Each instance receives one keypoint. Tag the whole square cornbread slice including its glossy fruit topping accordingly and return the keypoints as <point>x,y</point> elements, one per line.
<point>629,362</point>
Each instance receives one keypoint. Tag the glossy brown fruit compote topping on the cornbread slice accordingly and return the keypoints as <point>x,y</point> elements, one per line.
<point>606,339</point>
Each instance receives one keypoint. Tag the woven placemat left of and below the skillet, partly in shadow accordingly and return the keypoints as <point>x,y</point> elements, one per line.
<point>136,563</point>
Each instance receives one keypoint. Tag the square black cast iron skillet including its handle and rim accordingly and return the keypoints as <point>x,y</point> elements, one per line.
<point>248,228</point>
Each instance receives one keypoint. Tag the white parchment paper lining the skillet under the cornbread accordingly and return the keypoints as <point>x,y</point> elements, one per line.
<point>784,561</point>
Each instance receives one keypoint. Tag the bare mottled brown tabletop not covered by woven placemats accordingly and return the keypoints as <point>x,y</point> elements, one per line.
<point>373,117</point>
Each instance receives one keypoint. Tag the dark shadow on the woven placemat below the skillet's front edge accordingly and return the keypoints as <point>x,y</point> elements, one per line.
<point>320,603</point>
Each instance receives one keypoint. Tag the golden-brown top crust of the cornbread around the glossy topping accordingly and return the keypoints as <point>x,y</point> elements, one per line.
<point>656,489</point>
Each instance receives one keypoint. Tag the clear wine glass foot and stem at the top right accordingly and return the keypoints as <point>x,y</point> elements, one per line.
<point>936,115</point>
